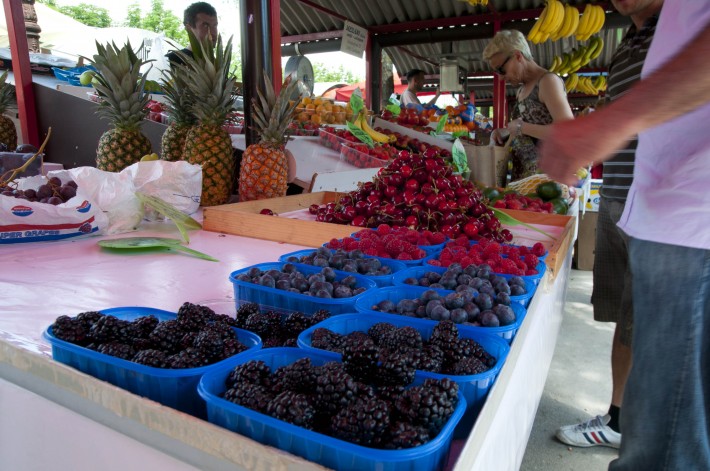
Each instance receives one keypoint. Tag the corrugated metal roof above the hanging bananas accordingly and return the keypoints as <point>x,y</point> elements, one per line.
<point>307,20</point>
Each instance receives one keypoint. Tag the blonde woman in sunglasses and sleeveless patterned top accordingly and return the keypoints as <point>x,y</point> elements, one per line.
<point>541,99</point>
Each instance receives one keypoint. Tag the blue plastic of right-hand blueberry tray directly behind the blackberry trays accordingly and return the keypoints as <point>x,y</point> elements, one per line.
<point>397,293</point>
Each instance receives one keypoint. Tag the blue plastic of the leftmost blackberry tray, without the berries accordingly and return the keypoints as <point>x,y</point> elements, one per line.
<point>176,388</point>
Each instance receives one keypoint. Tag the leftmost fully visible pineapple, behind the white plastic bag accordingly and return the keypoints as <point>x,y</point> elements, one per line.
<point>124,103</point>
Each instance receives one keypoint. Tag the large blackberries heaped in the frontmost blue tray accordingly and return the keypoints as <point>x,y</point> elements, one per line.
<point>330,400</point>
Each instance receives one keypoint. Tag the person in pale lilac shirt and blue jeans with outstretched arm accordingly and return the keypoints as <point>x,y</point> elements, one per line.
<point>666,413</point>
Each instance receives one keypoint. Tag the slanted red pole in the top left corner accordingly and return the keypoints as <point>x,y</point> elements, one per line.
<point>21,69</point>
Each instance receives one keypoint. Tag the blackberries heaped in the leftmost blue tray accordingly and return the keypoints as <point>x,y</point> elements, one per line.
<point>196,337</point>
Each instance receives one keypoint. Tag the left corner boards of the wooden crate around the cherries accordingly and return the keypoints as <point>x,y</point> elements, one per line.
<point>243,219</point>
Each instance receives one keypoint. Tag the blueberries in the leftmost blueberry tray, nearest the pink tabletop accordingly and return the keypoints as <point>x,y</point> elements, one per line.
<point>289,278</point>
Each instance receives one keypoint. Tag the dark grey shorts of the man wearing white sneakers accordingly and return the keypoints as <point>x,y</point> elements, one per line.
<point>611,295</point>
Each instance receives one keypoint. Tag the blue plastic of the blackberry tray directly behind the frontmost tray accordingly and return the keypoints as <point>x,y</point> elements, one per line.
<point>473,387</point>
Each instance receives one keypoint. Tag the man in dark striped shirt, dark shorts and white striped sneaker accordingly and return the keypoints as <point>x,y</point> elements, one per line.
<point>611,294</point>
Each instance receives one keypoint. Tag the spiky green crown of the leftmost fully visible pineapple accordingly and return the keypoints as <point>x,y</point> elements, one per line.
<point>121,85</point>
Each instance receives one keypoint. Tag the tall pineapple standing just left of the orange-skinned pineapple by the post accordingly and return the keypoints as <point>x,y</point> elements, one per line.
<point>208,143</point>
